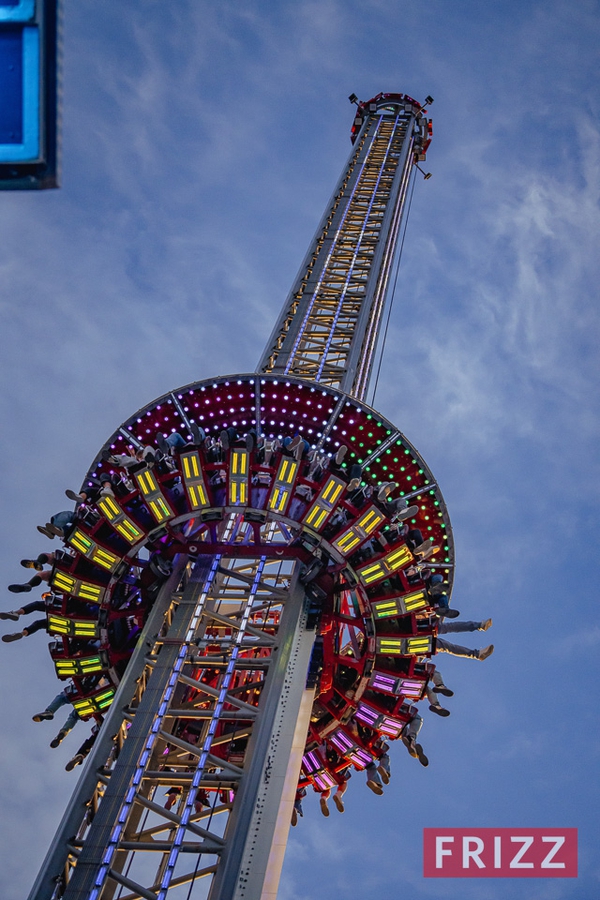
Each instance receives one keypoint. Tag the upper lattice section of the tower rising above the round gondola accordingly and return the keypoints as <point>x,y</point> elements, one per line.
<point>328,328</point>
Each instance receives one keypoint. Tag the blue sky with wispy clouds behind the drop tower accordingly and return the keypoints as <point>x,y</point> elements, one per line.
<point>201,142</point>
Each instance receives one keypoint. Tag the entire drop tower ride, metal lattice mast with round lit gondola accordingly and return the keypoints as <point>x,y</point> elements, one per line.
<point>286,619</point>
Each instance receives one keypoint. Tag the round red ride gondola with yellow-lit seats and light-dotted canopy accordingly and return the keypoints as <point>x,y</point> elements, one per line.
<point>375,627</point>
